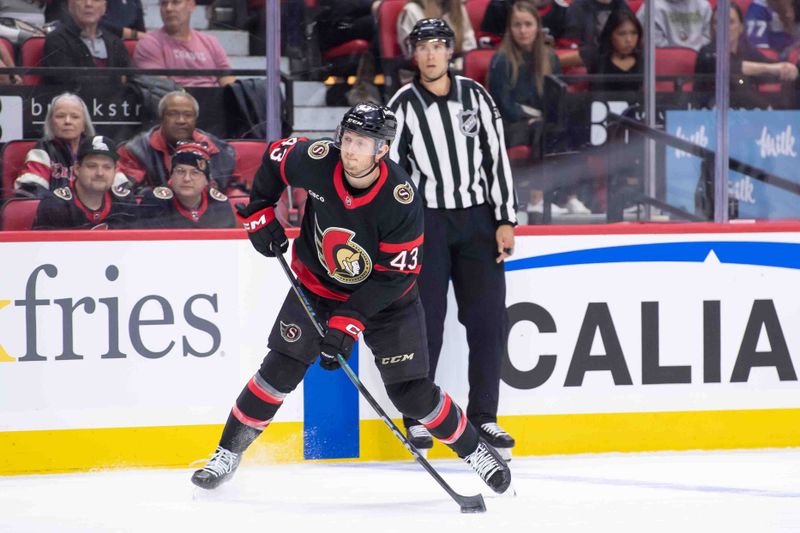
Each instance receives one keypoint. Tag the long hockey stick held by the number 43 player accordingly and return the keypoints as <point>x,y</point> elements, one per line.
<point>468,504</point>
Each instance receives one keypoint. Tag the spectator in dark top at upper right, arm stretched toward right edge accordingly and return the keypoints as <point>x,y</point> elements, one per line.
<point>747,65</point>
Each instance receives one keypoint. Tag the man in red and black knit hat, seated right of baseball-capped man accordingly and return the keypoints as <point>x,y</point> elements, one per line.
<point>190,199</point>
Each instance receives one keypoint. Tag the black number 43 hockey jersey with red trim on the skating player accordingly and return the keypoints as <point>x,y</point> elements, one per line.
<point>363,248</point>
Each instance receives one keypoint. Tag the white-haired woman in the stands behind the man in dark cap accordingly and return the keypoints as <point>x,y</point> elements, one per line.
<point>49,165</point>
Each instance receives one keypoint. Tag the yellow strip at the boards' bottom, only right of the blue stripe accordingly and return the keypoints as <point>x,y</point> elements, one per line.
<point>617,432</point>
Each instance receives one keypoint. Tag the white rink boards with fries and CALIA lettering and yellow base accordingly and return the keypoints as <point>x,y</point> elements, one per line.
<point>126,349</point>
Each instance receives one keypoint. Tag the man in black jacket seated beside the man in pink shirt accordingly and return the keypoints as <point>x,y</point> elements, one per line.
<point>79,42</point>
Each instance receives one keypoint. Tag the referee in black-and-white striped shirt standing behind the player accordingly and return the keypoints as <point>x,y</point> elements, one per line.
<point>450,140</point>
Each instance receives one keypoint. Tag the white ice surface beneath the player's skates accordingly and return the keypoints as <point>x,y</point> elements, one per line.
<point>685,492</point>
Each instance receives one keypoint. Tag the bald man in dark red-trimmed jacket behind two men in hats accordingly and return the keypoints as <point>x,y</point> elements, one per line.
<point>146,157</point>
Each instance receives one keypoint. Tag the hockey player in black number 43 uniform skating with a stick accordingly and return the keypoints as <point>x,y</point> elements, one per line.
<point>358,256</point>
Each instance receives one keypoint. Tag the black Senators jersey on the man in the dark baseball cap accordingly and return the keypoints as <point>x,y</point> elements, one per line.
<point>62,209</point>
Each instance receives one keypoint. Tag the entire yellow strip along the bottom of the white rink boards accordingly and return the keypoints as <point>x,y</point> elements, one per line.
<point>54,451</point>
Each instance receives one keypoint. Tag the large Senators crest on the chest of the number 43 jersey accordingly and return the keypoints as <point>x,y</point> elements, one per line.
<point>344,260</point>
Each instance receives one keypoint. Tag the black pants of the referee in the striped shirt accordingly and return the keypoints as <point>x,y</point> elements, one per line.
<point>460,244</point>
